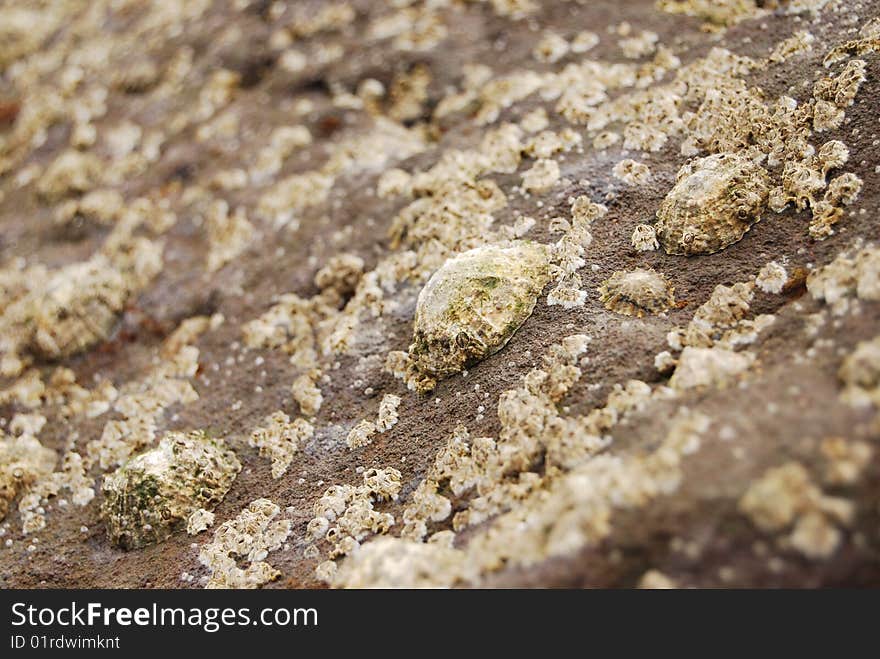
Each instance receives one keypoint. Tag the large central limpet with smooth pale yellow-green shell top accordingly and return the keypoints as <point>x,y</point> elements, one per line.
<point>472,305</point>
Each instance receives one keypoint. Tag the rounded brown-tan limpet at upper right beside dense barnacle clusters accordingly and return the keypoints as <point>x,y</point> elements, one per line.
<point>714,203</point>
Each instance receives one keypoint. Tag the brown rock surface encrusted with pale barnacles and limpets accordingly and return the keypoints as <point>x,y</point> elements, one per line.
<point>485,293</point>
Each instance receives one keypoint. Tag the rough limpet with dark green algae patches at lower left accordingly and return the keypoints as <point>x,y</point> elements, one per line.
<point>146,498</point>
